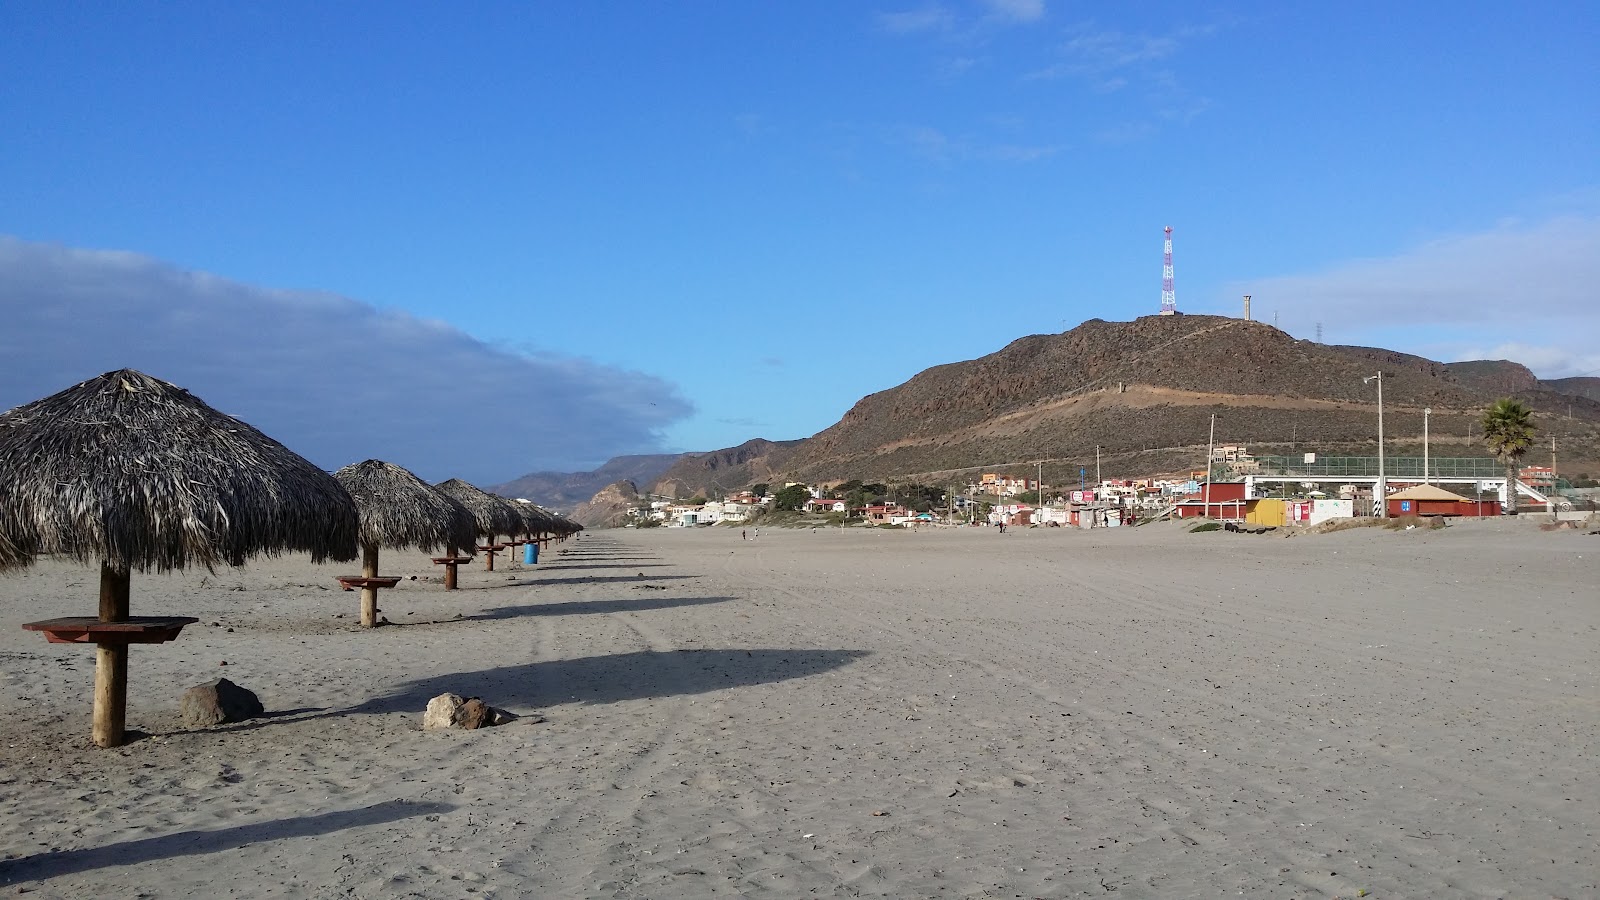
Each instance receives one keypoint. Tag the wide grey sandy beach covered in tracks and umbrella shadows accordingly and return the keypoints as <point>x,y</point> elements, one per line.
<point>862,713</point>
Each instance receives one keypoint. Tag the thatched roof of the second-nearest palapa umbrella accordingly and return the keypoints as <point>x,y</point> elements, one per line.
<point>401,510</point>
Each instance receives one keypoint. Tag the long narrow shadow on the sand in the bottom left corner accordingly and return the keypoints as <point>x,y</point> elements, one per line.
<point>41,867</point>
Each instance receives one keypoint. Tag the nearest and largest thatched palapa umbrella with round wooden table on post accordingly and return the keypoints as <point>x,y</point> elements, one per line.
<point>142,475</point>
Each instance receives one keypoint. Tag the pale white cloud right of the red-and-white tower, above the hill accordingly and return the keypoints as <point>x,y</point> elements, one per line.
<point>1522,292</point>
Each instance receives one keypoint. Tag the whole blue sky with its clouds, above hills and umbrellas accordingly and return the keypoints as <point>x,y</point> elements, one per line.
<point>497,238</point>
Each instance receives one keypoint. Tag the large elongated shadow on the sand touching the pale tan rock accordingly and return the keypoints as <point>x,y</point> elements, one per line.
<point>609,680</point>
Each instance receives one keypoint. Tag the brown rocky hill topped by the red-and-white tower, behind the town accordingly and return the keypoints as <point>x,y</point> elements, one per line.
<point>1145,393</point>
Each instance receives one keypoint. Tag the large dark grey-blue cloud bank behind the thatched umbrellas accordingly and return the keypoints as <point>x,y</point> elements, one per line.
<point>334,379</point>
